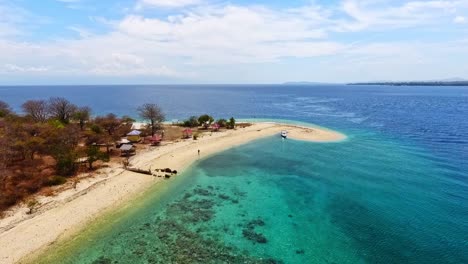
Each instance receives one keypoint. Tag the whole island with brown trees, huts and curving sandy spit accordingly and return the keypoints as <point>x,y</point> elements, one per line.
<point>64,205</point>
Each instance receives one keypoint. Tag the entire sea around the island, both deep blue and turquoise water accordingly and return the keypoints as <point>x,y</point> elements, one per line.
<point>396,191</point>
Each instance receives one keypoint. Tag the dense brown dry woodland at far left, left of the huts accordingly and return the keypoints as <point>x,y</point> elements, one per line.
<point>42,147</point>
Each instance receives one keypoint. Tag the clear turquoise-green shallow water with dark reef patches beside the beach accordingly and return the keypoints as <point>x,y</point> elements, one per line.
<point>363,200</point>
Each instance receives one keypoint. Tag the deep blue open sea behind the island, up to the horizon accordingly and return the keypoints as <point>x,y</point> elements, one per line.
<point>433,117</point>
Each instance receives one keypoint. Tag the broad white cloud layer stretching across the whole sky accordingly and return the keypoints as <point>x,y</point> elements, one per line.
<point>225,36</point>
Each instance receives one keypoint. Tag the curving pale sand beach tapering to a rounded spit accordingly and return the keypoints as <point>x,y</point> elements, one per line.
<point>23,239</point>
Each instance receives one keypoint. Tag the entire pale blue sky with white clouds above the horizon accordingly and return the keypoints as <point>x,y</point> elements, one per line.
<point>231,42</point>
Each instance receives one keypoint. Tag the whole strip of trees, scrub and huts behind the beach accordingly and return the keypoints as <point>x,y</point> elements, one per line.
<point>54,140</point>
